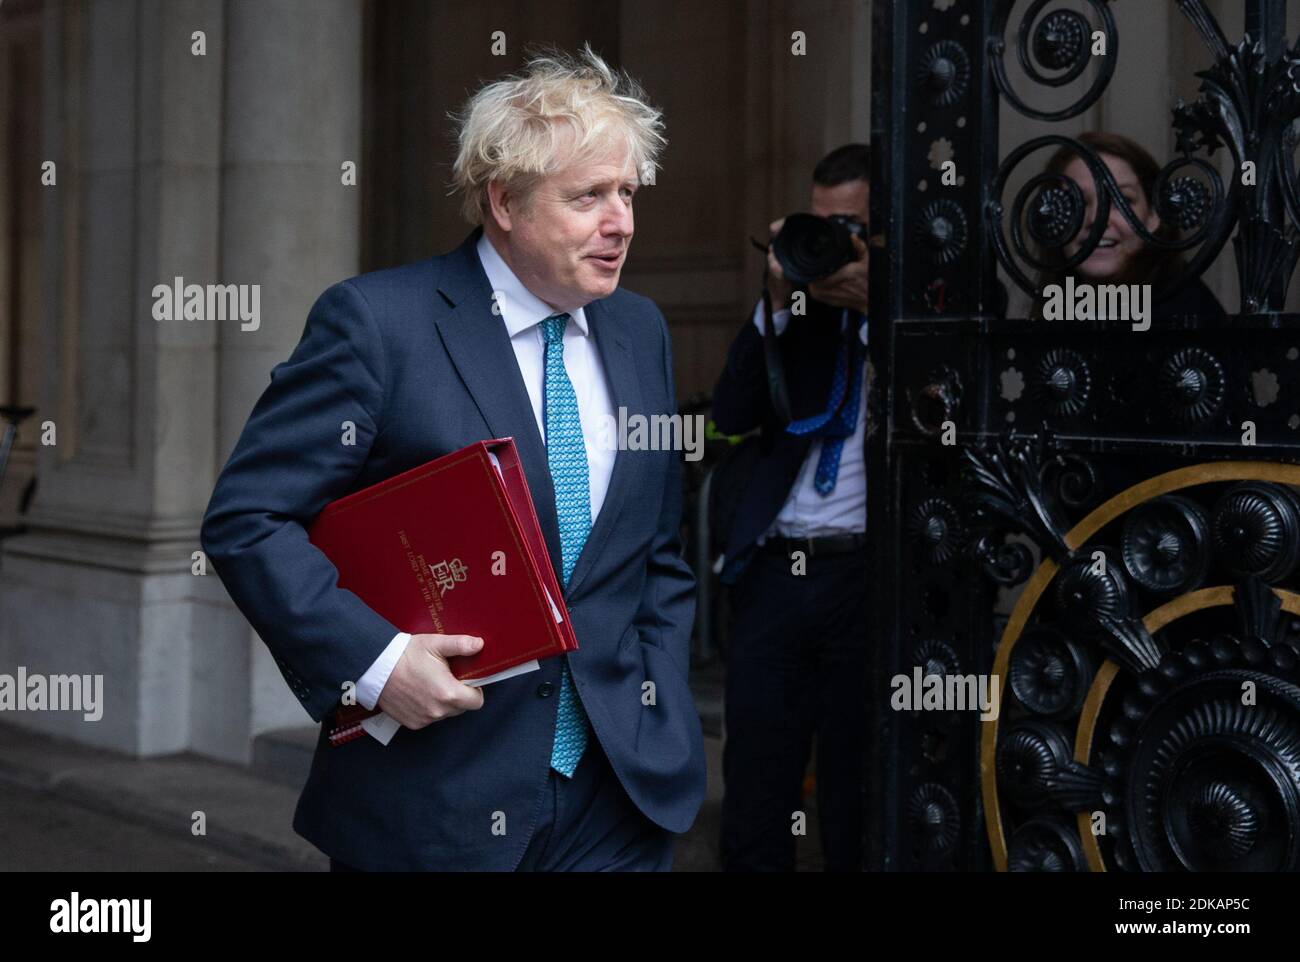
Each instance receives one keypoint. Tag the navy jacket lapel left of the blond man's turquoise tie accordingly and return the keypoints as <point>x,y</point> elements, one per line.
<point>480,348</point>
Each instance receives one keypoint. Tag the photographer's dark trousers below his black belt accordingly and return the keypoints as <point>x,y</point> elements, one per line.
<point>796,670</point>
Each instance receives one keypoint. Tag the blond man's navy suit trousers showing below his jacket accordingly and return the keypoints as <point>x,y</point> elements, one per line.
<point>590,825</point>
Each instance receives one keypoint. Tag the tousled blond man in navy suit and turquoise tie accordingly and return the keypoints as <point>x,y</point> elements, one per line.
<point>596,760</point>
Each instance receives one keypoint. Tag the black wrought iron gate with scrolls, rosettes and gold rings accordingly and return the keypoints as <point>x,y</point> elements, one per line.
<point>1150,683</point>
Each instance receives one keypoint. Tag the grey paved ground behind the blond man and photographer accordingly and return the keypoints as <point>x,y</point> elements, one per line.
<point>68,808</point>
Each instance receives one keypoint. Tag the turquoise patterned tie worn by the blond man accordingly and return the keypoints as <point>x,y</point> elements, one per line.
<point>566,454</point>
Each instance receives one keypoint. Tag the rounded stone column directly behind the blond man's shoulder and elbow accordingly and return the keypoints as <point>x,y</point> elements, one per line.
<point>293,116</point>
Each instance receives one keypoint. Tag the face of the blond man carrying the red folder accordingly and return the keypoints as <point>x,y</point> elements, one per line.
<point>569,240</point>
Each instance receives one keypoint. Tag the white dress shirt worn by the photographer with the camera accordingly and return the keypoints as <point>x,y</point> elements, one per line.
<point>807,514</point>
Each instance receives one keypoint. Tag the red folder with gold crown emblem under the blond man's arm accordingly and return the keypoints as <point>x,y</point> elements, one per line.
<point>452,548</point>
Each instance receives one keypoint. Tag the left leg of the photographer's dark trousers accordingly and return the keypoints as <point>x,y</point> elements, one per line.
<point>768,717</point>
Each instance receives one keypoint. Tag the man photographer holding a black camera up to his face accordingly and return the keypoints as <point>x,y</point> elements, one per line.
<point>796,547</point>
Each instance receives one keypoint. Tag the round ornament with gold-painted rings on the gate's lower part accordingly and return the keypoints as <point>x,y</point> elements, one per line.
<point>1227,817</point>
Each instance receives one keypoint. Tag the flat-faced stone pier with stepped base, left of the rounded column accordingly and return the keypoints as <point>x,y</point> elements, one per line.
<point>102,584</point>
